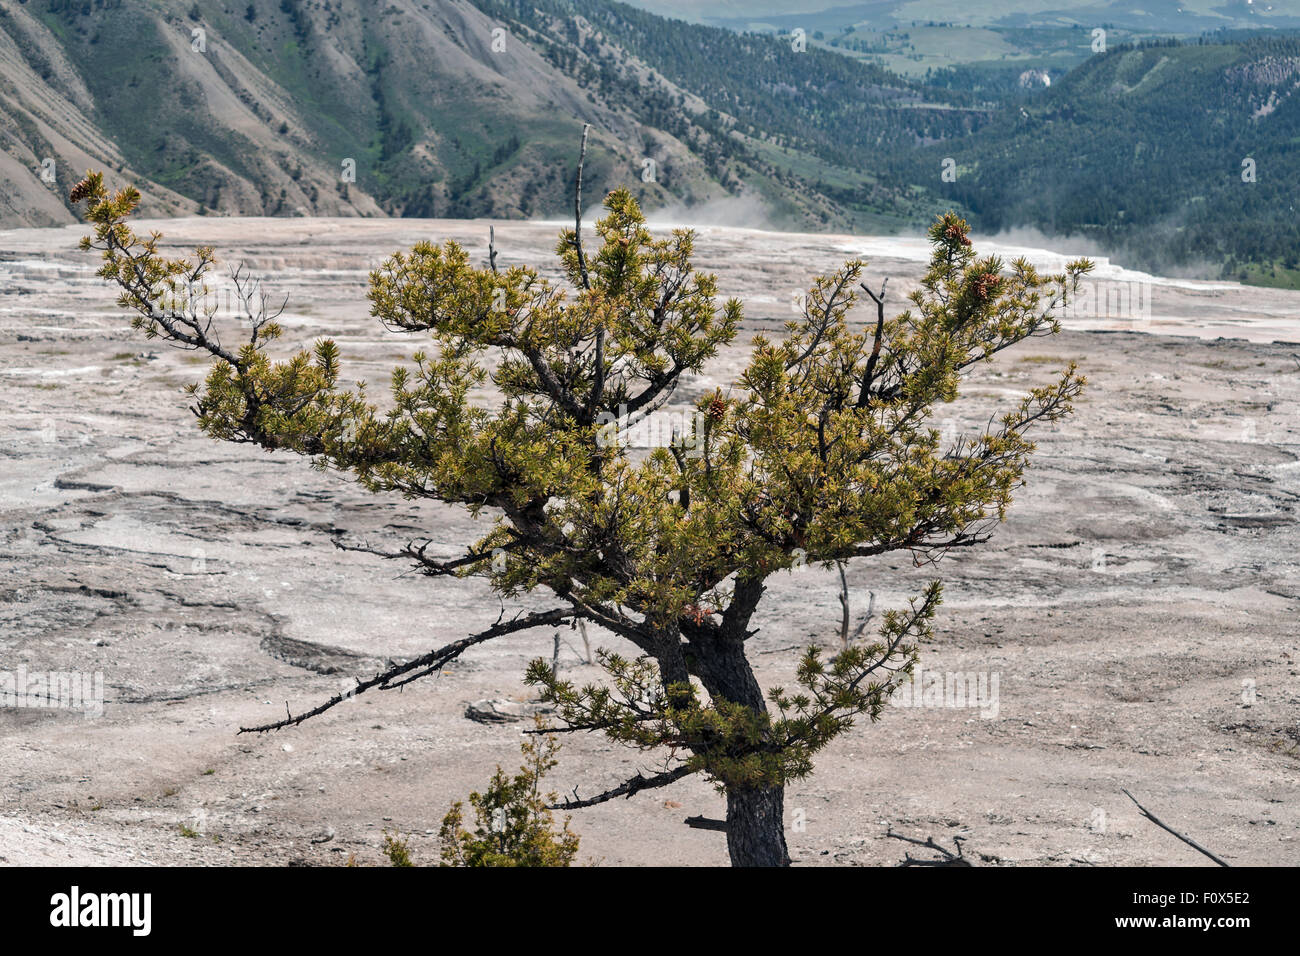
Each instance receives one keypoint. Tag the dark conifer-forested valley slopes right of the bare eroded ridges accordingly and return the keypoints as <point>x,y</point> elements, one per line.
<point>1177,155</point>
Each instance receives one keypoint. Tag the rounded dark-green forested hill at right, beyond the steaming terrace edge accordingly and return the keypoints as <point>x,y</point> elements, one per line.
<point>1181,155</point>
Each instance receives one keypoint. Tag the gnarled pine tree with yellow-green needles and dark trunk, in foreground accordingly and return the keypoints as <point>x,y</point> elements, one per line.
<point>821,452</point>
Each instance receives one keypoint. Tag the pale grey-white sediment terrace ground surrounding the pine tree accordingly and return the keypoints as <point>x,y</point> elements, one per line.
<point>1138,608</point>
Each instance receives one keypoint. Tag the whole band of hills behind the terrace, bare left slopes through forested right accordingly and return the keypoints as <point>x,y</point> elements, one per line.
<point>475,109</point>
